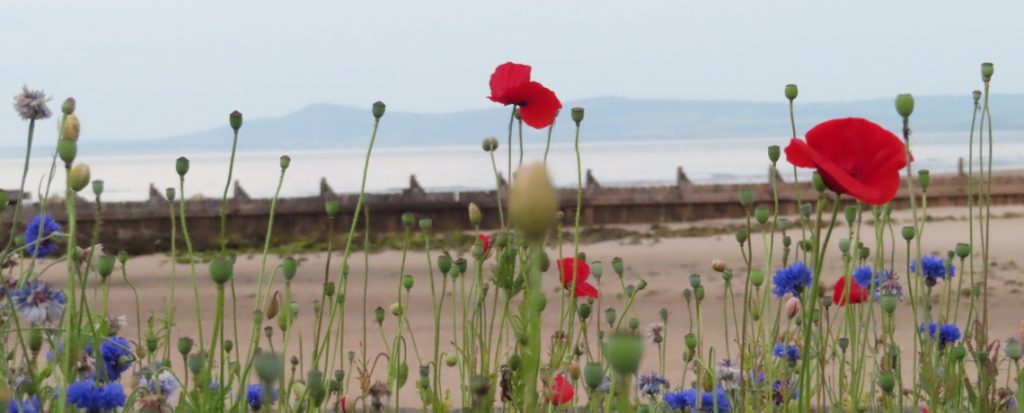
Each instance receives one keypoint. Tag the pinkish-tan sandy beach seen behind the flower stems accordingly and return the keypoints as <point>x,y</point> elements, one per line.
<point>665,264</point>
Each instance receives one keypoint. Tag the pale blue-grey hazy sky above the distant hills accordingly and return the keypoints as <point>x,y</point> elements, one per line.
<point>145,70</point>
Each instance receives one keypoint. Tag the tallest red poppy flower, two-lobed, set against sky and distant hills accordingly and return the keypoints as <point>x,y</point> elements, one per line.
<point>510,85</point>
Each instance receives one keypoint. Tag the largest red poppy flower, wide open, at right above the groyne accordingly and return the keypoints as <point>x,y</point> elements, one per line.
<point>854,156</point>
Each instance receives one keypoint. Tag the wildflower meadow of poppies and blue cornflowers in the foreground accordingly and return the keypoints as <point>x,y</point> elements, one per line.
<point>477,331</point>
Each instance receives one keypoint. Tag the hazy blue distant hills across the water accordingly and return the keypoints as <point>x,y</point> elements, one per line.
<point>332,127</point>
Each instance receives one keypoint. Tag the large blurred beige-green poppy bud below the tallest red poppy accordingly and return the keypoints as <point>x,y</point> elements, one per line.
<point>533,201</point>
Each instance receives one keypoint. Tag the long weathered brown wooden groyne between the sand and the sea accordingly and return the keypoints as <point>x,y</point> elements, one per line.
<point>145,227</point>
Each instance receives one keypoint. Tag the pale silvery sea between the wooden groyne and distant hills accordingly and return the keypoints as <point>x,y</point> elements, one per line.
<point>624,163</point>
